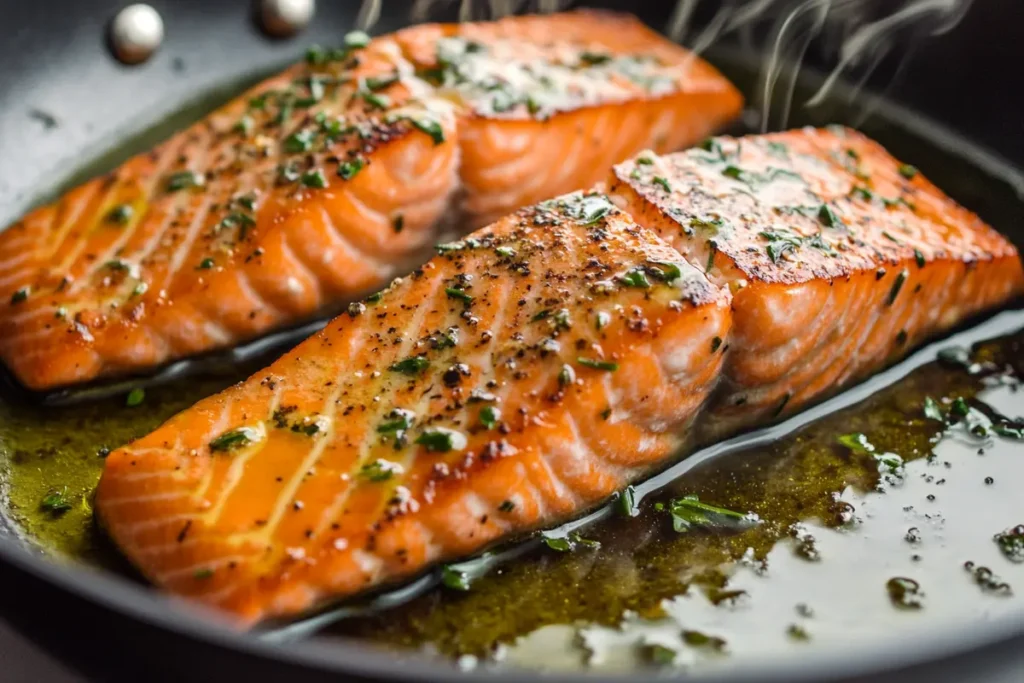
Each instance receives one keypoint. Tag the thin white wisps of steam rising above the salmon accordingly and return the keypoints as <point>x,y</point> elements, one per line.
<point>858,36</point>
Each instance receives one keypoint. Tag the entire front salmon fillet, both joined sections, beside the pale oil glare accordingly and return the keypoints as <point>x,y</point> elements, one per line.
<point>535,368</point>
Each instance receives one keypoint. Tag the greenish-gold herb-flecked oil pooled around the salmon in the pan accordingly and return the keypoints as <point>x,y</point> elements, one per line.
<point>650,595</point>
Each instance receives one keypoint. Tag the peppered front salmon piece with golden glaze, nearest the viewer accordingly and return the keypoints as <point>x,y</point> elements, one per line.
<point>522,376</point>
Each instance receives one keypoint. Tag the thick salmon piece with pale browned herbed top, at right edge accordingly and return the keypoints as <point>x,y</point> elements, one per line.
<point>840,259</point>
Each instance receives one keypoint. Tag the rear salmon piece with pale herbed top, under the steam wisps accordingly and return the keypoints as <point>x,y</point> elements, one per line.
<point>549,104</point>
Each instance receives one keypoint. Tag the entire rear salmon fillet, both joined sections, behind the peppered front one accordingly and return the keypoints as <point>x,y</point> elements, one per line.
<point>326,182</point>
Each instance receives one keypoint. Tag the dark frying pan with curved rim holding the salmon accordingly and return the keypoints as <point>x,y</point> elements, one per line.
<point>66,103</point>
